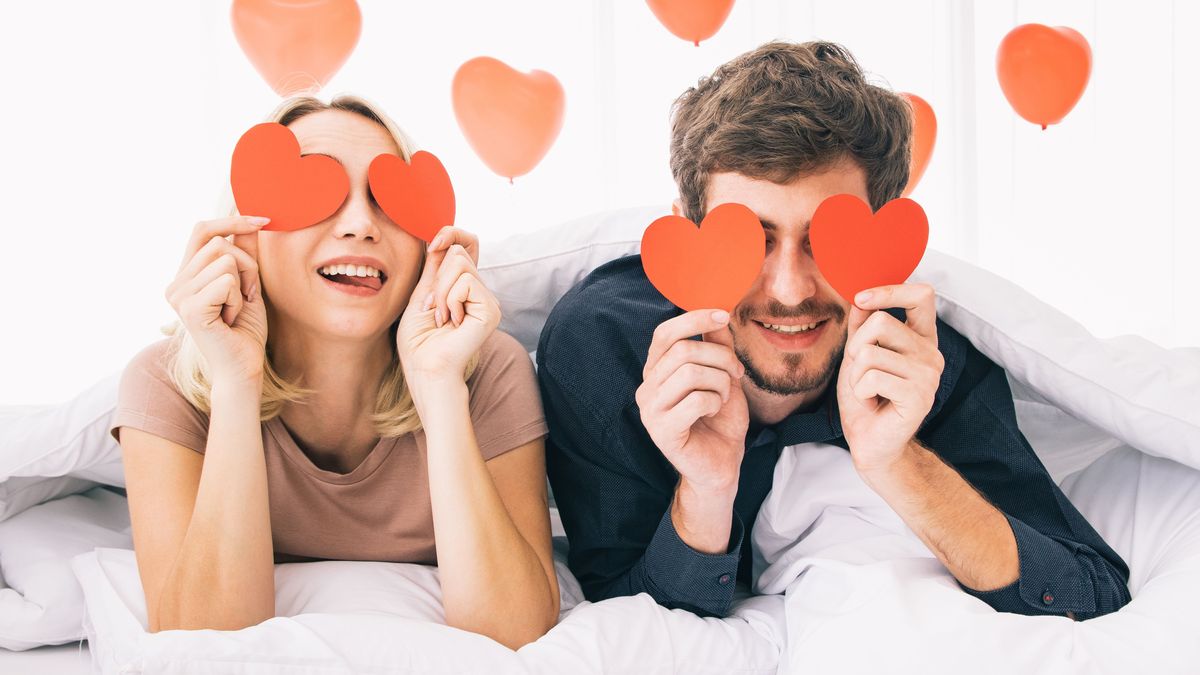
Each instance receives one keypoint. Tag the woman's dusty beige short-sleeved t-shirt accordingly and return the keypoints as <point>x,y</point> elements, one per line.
<point>380,511</point>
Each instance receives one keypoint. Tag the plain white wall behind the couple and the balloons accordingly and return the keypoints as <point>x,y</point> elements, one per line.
<point>119,118</point>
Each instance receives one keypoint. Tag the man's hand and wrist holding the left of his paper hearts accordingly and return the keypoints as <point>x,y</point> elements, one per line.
<point>695,411</point>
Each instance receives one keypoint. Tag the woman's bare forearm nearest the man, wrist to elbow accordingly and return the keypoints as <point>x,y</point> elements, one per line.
<point>493,581</point>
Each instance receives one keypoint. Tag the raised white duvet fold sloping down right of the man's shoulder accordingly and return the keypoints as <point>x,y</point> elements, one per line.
<point>1144,395</point>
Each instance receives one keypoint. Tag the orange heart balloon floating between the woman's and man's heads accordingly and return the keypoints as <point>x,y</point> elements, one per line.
<point>509,118</point>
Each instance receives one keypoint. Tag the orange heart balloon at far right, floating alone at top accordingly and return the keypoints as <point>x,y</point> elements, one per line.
<point>1043,71</point>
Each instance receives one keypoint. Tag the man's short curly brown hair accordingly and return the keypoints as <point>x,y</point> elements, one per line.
<point>784,110</point>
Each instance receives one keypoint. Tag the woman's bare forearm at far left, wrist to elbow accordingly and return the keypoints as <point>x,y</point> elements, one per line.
<point>224,577</point>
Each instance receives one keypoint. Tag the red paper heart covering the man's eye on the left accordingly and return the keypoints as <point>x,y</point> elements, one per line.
<point>712,267</point>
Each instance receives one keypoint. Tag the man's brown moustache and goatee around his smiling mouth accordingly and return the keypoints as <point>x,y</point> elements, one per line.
<point>796,379</point>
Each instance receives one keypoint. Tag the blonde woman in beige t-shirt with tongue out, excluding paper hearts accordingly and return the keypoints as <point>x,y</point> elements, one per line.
<point>337,393</point>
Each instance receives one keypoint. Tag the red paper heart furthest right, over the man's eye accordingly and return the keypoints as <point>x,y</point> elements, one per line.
<point>859,250</point>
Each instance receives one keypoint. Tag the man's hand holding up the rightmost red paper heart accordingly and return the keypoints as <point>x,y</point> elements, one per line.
<point>890,374</point>
